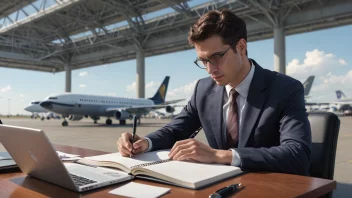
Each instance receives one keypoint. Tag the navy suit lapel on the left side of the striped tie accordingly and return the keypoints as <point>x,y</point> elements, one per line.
<point>215,101</point>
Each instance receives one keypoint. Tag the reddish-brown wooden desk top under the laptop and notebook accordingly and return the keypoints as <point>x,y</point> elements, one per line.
<point>16,184</point>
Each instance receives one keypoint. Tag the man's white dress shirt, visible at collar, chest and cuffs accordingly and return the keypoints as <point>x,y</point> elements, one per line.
<point>242,89</point>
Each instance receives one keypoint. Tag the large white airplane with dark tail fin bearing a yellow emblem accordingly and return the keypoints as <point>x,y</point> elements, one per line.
<point>77,106</point>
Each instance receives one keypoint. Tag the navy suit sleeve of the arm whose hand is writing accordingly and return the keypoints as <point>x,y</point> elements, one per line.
<point>180,128</point>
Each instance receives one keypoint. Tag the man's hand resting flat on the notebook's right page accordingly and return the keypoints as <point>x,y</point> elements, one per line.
<point>192,150</point>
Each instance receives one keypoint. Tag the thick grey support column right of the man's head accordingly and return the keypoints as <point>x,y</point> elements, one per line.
<point>279,49</point>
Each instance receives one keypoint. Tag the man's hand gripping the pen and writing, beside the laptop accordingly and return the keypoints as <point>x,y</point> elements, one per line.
<point>124,144</point>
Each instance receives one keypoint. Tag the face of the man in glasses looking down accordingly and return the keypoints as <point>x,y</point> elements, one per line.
<point>230,68</point>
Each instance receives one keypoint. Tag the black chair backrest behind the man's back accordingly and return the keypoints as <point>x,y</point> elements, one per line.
<point>325,128</point>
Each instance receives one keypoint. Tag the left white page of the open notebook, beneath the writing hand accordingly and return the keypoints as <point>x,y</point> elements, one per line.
<point>135,160</point>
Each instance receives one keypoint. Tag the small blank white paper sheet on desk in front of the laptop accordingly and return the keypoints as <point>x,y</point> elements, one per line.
<point>134,189</point>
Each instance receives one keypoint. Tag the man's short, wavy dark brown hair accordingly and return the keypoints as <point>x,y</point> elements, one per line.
<point>223,23</point>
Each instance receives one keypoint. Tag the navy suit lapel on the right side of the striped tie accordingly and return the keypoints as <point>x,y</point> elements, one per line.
<point>256,97</point>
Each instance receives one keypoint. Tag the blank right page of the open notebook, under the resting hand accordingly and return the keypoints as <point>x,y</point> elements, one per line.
<point>195,173</point>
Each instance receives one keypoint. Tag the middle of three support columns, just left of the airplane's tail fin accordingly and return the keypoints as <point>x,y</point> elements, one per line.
<point>140,74</point>
